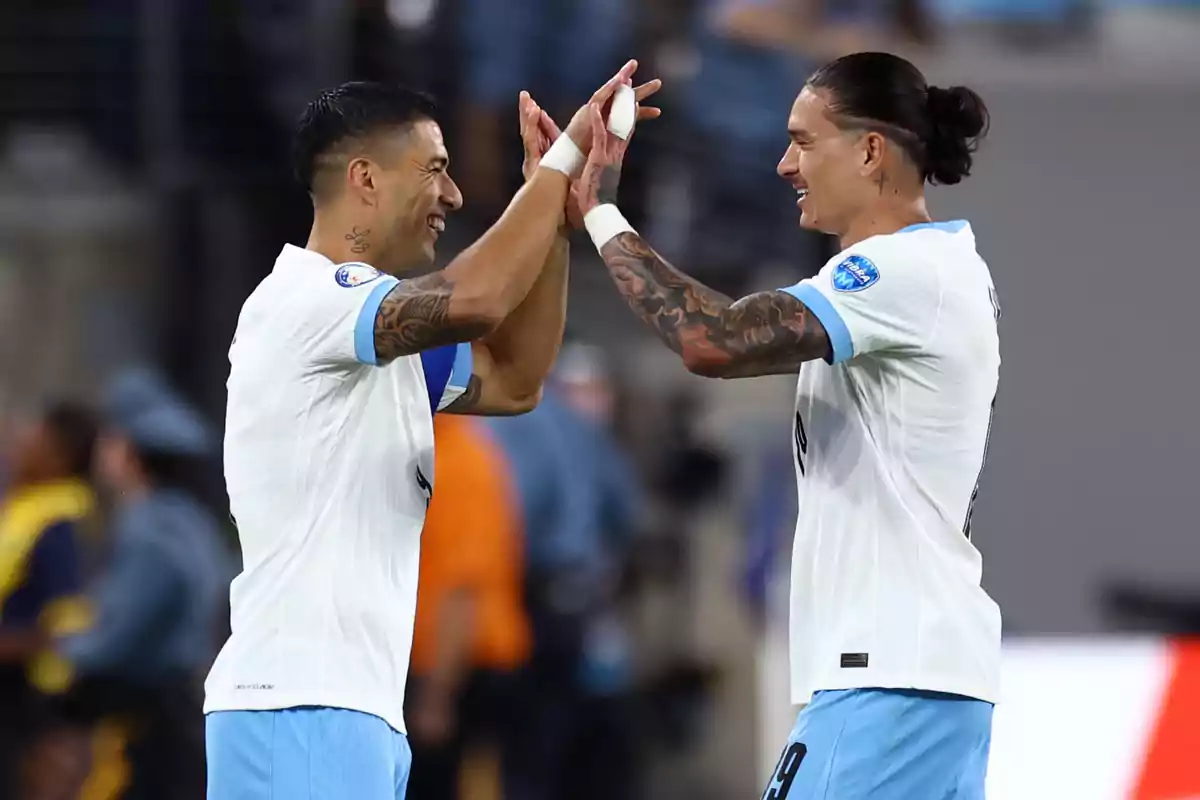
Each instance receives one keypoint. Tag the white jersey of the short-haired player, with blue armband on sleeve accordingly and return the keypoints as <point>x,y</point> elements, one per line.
<point>329,467</point>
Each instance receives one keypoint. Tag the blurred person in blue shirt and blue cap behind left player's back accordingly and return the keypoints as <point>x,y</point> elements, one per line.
<point>157,606</point>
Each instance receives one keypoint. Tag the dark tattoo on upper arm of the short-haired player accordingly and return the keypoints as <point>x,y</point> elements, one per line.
<point>416,316</point>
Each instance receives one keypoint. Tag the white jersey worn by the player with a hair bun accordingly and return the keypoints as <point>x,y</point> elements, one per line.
<point>890,443</point>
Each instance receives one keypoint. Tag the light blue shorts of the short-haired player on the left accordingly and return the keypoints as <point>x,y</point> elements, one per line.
<point>307,754</point>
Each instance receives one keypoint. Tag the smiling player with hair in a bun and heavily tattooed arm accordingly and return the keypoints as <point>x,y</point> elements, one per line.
<point>895,645</point>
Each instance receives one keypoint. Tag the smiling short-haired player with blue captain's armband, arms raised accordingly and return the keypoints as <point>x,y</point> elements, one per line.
<point>337,370</point>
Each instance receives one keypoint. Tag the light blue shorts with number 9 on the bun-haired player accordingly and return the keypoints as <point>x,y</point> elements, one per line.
<point>886,745</point>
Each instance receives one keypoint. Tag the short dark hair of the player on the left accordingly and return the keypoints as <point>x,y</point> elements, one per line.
<point>353,111</point>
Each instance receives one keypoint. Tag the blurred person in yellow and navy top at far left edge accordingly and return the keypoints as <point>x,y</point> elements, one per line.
<point>41,576</point>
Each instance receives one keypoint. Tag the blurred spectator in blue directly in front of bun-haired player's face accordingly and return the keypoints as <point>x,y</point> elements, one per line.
<point>754,58</point>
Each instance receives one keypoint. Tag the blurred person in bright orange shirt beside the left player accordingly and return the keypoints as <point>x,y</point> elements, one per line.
<point>472,634</point>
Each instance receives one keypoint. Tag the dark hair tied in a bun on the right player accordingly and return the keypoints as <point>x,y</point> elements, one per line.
<point>940,129</point>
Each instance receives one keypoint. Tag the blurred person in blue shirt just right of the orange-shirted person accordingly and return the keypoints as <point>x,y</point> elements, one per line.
<point>581,506</point>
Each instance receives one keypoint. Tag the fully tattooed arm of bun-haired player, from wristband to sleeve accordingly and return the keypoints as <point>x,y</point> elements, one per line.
<point>764,334</point>
